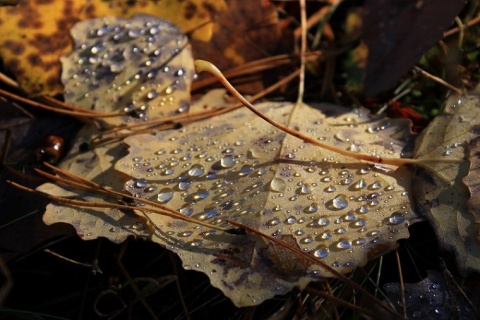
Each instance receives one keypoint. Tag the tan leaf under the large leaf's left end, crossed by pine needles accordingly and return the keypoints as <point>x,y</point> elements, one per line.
<point>97,166</point>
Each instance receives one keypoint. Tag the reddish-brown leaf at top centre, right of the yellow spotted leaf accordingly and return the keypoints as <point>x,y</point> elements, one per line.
<point>248,30</point>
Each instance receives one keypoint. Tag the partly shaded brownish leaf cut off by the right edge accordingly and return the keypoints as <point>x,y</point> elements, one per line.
<point>440,192</point>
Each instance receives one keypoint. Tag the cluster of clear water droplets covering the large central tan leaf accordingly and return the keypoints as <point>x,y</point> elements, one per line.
<point>274,183</point>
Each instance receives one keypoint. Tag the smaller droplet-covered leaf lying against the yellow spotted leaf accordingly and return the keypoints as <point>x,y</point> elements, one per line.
<point>142,67</point>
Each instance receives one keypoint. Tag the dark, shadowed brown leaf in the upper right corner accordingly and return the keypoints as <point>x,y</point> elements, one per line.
<point>397,34</point>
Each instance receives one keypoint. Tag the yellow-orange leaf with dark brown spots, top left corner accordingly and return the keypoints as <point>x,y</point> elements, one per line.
<point>34,34</point>
